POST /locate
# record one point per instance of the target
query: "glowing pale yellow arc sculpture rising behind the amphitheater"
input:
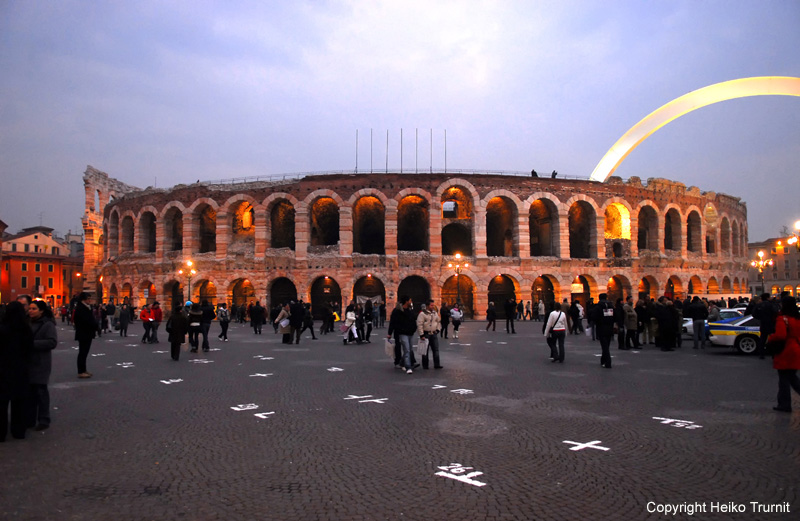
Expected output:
(741, 88)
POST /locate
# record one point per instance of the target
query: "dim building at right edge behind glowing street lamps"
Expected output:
(783, 275)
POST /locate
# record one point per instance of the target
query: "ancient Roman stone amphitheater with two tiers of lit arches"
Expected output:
(338, 236)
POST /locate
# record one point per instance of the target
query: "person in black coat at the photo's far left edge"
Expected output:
(16, 345)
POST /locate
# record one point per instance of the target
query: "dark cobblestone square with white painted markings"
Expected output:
(260, 430)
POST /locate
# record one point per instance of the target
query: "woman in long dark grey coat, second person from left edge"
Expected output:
(45, 339)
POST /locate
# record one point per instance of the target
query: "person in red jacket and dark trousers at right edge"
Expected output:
(787, 362)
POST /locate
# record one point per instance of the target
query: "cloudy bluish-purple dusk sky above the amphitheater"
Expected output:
(171, 92)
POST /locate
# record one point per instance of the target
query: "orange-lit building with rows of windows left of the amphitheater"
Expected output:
(36, 263)
